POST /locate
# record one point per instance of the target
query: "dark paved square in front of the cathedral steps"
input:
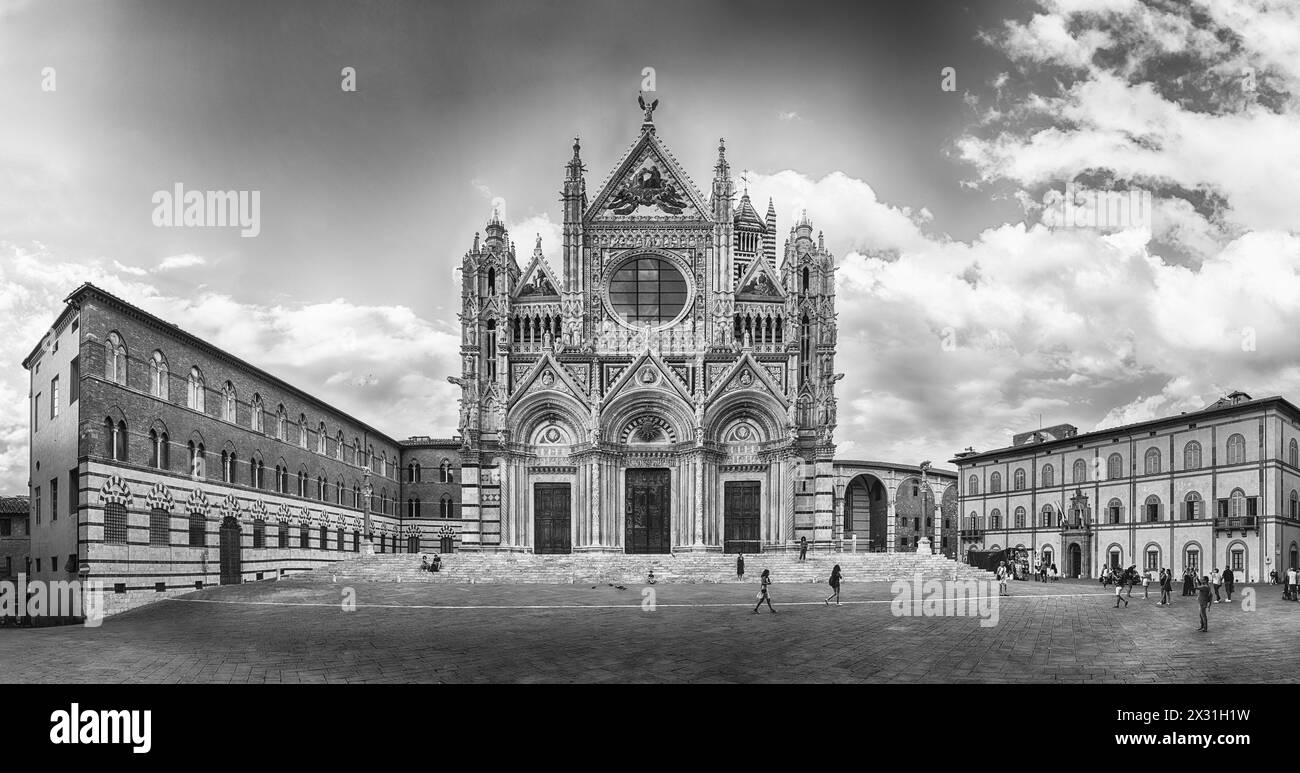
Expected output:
(297, 632)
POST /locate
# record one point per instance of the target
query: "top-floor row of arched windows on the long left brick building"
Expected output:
(116, 363)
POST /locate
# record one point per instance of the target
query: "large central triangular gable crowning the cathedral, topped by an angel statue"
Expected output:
(648, 181)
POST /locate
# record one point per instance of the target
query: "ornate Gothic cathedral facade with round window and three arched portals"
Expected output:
(665, 384)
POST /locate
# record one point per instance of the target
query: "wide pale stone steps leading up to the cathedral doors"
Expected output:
(622, 570)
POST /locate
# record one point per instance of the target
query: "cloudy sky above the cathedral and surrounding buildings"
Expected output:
(965, 315)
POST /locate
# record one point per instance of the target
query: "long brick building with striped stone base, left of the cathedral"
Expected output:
(162, 464)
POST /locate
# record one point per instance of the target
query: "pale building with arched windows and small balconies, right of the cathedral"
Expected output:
(1217, 488)
